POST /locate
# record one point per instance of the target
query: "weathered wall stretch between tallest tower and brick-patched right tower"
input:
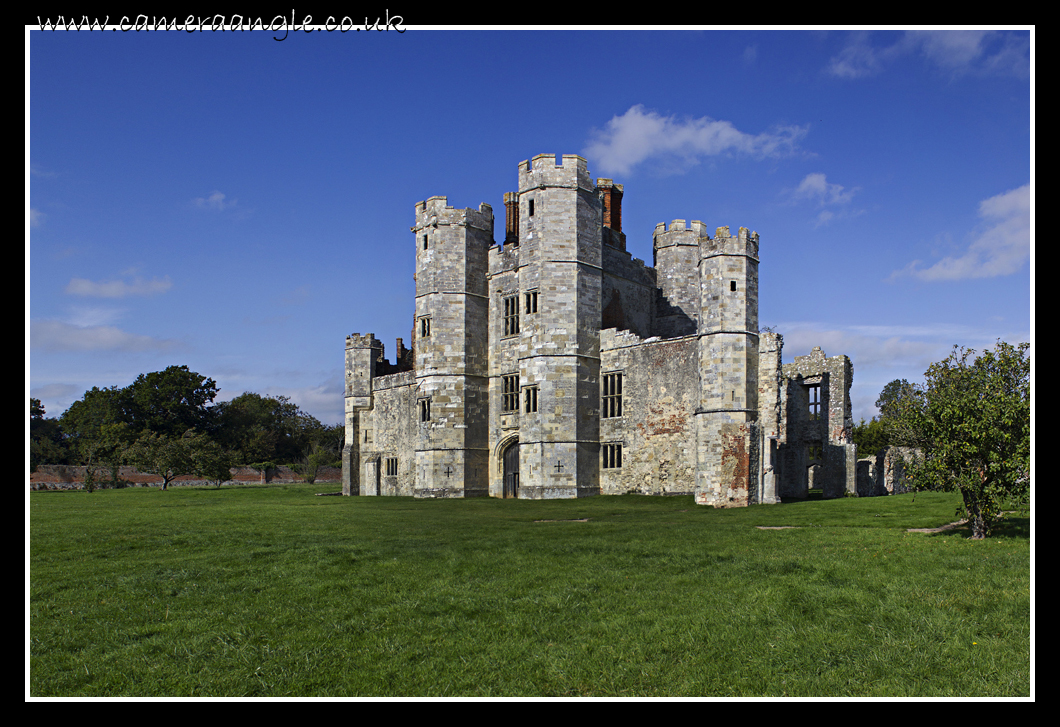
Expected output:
(661, 393)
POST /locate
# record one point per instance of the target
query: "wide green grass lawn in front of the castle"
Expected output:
(272, 592)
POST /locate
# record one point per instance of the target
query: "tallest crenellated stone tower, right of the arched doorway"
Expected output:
(560, 218)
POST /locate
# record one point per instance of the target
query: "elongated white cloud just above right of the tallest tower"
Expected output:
(640, 135)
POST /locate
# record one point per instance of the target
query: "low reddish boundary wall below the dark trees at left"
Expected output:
(67, 477)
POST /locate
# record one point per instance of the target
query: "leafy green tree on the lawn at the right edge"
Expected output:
(971, 421)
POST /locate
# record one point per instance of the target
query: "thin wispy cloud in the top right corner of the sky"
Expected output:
(956, 52)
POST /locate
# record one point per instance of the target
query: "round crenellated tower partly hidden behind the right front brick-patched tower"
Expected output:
(678, 271)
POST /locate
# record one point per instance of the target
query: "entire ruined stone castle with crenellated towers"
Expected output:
(556, 365)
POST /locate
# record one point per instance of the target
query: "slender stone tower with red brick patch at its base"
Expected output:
(729, 438)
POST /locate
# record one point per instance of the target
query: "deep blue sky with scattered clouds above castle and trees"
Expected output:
(239, 205)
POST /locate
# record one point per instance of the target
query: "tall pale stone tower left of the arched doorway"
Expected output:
(451, 349)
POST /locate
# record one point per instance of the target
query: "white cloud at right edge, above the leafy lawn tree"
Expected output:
(1002, 247)
